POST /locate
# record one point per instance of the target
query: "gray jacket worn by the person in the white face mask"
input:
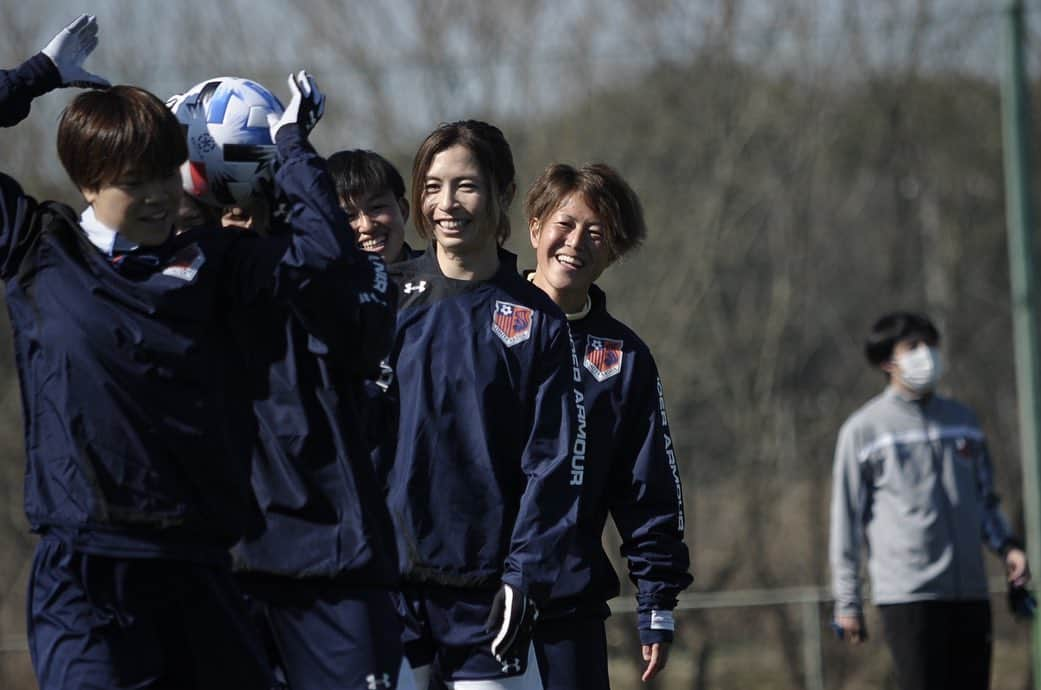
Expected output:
(913, 483)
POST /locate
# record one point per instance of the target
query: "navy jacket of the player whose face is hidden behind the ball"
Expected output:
(324, 510)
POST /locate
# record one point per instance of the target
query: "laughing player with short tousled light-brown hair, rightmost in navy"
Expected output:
(581, 221)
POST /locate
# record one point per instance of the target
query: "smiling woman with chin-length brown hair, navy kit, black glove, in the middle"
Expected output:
(487, 473)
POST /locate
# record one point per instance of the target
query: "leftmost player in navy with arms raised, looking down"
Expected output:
(121, 341)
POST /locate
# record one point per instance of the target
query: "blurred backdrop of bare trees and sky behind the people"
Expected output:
(805, 165)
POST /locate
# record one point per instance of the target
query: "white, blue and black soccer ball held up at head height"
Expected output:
(231, 150)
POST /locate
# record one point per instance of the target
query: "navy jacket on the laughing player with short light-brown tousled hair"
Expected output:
(632, 474)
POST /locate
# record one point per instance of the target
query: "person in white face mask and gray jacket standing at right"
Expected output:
(913, 484)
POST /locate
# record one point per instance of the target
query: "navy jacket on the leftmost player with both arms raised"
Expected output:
(123, 367)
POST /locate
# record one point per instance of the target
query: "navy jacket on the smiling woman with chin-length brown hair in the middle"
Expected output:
(486, 480)
